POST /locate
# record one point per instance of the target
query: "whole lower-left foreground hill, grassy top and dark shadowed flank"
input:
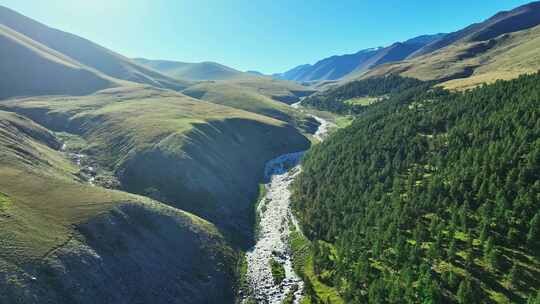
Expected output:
(57, 233)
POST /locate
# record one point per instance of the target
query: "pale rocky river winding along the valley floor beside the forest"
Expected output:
(275, 217)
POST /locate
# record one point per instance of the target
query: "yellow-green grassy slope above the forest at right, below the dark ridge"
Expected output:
(468, 64)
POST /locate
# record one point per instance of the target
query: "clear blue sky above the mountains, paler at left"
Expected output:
(265, 35)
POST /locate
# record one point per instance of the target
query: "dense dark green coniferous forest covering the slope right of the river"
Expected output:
(430, 197)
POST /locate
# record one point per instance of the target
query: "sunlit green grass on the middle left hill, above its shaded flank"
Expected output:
(136, 117)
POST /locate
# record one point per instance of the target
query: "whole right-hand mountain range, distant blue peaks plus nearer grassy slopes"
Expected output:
(480, 50)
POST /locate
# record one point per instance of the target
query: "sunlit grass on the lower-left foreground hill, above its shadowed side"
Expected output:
(41, 202)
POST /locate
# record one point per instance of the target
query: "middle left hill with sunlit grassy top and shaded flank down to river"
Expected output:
(198, 156)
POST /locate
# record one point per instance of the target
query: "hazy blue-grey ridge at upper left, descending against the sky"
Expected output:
(83, 52)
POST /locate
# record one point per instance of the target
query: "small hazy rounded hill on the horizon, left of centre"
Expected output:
(192, 71)
